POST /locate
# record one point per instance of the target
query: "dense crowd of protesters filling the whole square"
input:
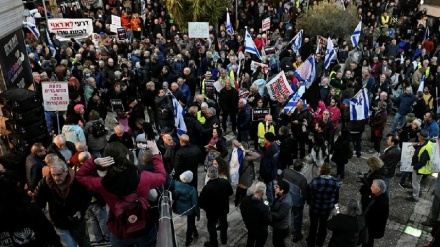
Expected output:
(84, 173)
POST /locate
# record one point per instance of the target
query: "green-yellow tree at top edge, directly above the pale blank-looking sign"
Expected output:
(185, 11)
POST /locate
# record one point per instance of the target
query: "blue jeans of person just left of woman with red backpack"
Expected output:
(97, 218)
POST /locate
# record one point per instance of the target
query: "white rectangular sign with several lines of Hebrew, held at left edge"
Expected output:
(55, 96)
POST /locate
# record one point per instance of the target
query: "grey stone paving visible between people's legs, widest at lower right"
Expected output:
(404, 227)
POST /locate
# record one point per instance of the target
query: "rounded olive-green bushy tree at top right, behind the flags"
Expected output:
(329, 19)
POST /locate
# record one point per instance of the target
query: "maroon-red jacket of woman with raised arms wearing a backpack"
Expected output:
(147, 182)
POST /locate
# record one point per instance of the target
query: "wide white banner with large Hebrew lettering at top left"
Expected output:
(65, 29)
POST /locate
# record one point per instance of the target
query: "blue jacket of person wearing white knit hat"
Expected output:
(185, 197)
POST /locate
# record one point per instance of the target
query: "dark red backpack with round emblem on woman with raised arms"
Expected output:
(130, 217)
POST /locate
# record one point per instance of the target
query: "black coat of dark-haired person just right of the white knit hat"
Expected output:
(214, 198)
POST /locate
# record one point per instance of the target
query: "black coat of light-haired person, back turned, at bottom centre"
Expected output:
(256, 215)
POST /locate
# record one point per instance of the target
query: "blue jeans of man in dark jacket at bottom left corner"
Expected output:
(76, 235)
